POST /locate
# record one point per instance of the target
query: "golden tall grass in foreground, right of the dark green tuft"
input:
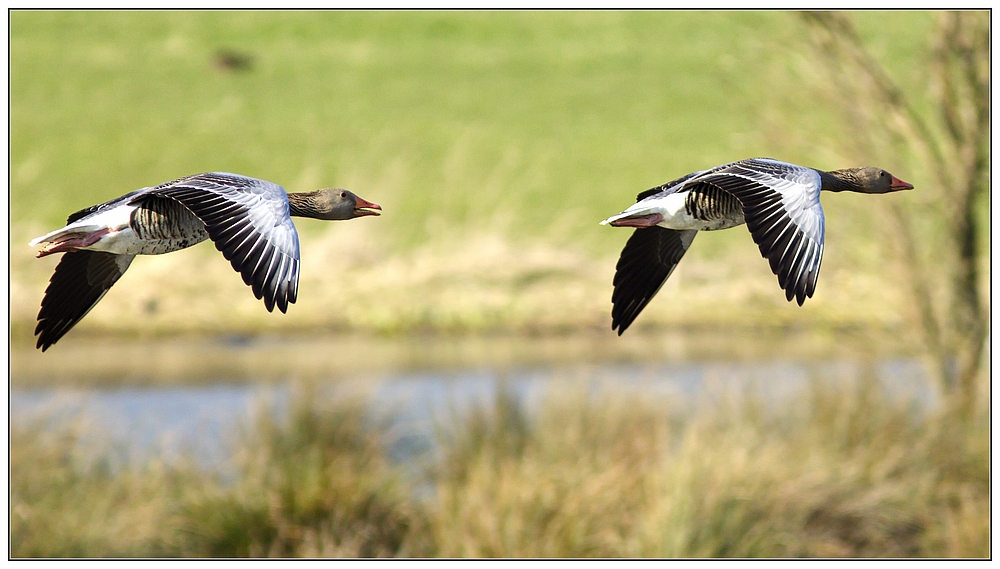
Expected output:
(843, 472)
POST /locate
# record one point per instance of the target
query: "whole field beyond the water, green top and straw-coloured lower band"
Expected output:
(495, 141)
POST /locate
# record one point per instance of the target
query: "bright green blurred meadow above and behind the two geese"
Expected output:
(457, 120)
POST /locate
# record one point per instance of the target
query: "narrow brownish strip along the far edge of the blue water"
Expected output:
(277, 359)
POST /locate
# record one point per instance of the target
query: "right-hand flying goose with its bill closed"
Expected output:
(778, 201)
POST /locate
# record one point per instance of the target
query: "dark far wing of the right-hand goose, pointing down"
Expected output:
(648, 259)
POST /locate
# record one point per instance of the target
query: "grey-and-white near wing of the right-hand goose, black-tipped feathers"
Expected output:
(782, 210)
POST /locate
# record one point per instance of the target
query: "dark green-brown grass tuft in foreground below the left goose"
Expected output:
(314, 483)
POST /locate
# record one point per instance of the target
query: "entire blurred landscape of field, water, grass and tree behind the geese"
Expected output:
(448, 383)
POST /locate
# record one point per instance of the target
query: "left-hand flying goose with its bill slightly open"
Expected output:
(247, 219)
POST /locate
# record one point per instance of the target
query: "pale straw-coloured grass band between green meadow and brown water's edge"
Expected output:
(483, 285)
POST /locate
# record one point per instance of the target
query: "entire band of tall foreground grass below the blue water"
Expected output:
(840, 472)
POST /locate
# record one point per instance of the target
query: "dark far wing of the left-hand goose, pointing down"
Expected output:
(79, 282)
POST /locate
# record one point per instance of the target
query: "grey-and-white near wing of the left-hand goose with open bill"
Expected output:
(248, 220)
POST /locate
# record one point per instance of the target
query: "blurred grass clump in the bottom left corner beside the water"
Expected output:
(71, 497)
